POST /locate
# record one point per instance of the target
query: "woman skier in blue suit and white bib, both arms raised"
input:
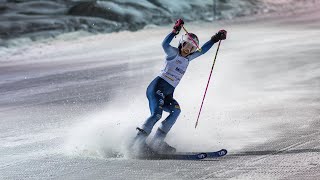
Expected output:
(161, 89)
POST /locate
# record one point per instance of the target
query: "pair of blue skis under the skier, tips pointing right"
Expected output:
(187, 155)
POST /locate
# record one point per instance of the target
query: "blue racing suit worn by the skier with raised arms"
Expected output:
(160, 90)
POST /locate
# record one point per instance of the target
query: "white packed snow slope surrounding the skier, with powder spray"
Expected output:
(69, 105)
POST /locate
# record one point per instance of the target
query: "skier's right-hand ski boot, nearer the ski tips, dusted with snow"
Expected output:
(159, 145)
